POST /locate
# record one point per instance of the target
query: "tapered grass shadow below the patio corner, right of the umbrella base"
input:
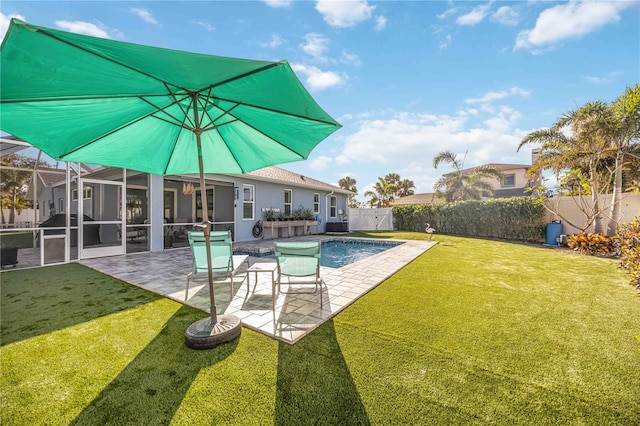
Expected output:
(314, 385)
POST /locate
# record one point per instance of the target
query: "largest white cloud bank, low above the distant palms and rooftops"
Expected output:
(406, 143)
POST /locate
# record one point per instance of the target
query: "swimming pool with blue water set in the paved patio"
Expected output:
(338, 253)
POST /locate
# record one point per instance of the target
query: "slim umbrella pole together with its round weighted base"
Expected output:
(209, 332)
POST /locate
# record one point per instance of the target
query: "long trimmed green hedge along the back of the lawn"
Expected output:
(515, 219)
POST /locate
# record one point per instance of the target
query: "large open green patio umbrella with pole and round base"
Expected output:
(161, 111)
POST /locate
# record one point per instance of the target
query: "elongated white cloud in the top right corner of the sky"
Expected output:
(570, 21)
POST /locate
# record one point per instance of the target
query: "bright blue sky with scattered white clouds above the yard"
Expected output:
(405, 79)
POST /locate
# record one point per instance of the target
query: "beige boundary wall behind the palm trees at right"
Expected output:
(570, 211)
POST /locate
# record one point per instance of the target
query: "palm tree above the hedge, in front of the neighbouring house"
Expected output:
(463, 185)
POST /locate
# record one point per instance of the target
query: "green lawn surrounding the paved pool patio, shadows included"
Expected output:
(471, 332)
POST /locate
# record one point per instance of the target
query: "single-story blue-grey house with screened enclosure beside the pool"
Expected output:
(154, 207)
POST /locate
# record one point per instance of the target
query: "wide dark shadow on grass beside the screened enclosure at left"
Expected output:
(38, 301)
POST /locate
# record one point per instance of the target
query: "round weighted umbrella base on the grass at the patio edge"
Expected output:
(204, 335)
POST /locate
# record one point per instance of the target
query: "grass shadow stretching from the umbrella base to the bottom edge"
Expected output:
(153, 385)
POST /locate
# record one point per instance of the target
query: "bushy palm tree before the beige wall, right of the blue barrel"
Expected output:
(586, 149)
